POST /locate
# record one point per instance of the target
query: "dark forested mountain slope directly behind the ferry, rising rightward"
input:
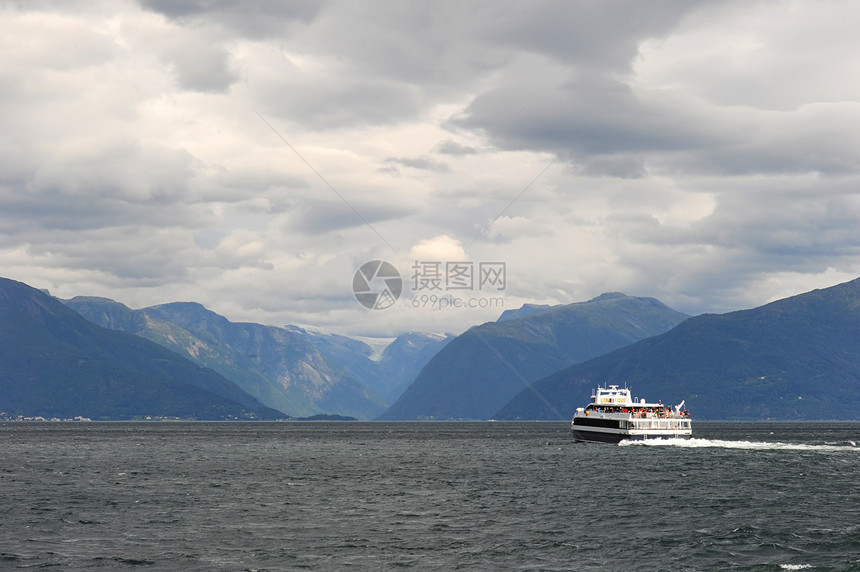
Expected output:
(797, 358)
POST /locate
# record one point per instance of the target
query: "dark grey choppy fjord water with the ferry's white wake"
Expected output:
(283, 496)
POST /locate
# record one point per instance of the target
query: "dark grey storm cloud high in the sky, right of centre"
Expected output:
(589, 114)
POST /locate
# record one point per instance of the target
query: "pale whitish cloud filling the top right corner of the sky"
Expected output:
(766, 57)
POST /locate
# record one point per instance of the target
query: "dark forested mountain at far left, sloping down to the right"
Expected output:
(54, 363)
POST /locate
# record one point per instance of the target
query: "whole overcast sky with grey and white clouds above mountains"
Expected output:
(254, 156)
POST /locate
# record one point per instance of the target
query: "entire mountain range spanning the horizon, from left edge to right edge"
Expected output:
(796, 358)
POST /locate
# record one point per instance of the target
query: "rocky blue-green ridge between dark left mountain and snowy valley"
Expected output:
(280, 367)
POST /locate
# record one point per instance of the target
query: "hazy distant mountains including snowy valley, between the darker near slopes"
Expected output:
(299, 371)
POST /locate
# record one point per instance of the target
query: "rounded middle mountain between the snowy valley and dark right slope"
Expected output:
(482, 369)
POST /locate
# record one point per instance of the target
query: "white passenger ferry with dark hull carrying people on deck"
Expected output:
(613, 416)
